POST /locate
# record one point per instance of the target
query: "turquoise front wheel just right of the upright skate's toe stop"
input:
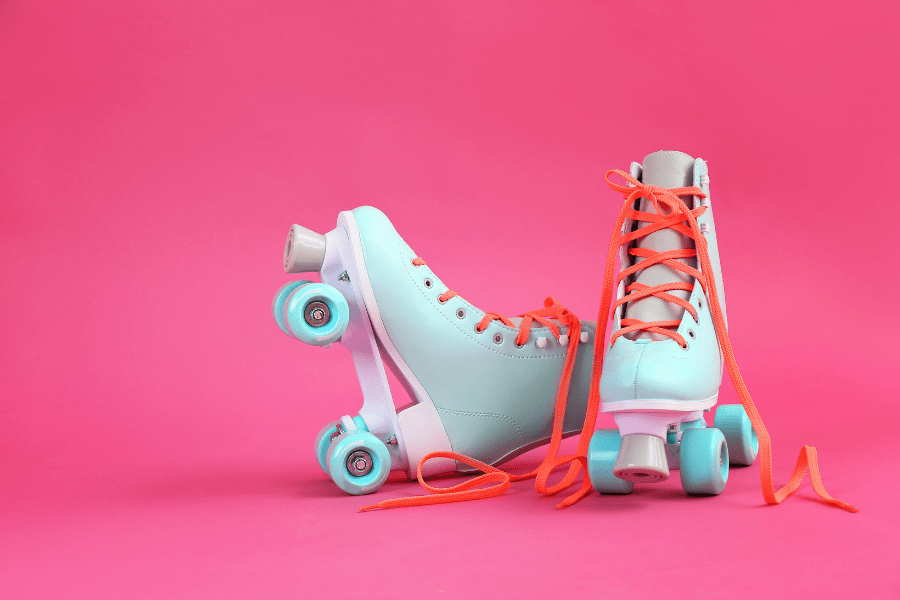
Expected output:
(703, 461)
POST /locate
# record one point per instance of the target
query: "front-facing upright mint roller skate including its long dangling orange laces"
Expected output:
(663, 368)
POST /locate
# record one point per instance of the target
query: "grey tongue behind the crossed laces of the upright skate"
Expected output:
(667, 169)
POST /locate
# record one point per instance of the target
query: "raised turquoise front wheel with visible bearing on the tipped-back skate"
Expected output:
(316, 314)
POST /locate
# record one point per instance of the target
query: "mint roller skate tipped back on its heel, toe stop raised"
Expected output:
(483, 388)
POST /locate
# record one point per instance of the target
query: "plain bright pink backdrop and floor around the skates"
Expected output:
(156, 428)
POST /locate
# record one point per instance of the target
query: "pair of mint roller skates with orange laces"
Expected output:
(485, 388)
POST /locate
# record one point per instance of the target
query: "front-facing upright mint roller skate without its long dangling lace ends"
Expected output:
(664, 367)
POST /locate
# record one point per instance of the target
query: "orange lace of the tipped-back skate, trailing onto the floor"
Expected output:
(497, 480)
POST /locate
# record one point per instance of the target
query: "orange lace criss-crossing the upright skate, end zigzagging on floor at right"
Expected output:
(674, 214)
